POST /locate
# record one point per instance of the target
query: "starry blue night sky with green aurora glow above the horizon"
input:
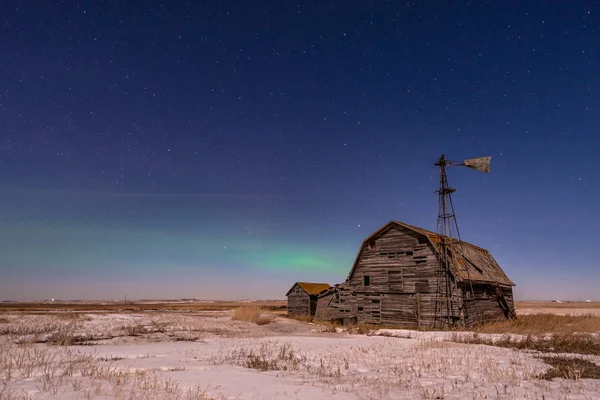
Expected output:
(176, 149)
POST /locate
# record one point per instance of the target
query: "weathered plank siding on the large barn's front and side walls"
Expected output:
(404, 287)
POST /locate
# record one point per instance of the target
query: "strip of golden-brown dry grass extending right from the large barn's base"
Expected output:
(543, 323)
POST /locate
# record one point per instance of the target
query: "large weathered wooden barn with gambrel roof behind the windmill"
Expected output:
(397, 279)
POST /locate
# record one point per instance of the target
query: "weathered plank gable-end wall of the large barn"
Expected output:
(402, 269)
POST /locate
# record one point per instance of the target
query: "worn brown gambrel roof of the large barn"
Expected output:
(475, 264)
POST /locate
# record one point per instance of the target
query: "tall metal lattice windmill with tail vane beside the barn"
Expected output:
(450, 244)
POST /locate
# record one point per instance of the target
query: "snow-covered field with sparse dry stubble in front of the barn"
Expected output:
(208, 355)
